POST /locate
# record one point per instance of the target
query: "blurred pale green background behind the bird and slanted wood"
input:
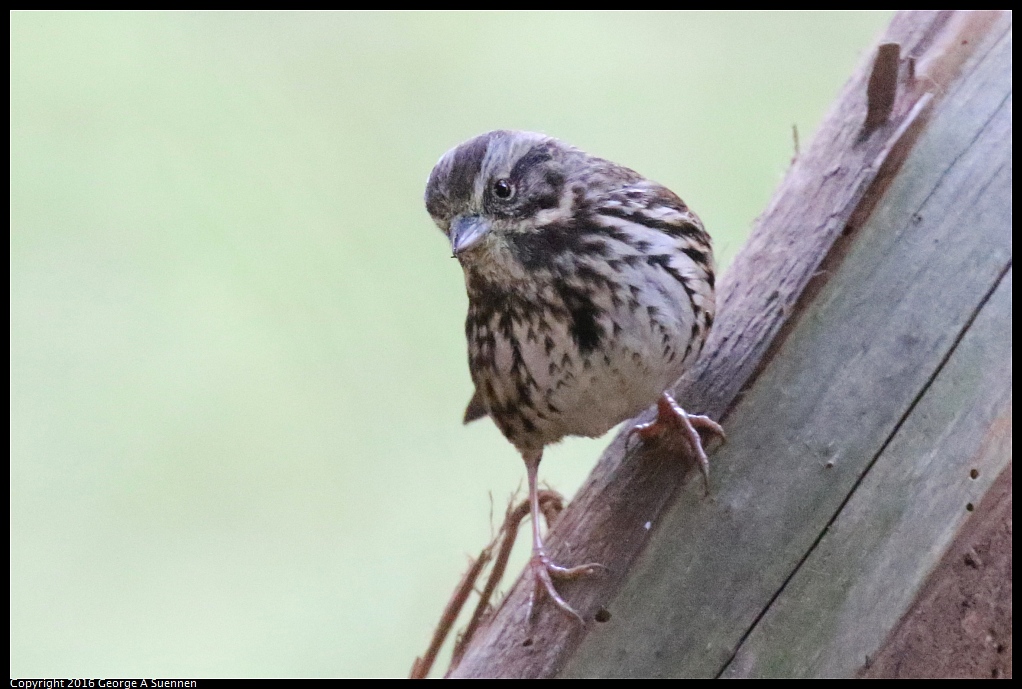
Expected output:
(238, 365)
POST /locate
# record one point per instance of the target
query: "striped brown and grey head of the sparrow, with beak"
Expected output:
(494, 192)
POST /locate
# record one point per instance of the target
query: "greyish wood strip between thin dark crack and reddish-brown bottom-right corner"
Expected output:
(860, 580)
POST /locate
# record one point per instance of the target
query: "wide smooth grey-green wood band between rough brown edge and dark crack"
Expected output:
(851, 370)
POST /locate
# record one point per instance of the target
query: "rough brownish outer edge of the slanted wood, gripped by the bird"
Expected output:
(826, 196)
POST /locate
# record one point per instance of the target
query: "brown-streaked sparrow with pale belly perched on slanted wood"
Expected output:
(590, 291)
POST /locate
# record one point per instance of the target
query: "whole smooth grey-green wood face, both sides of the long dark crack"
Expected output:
(869, 370)
